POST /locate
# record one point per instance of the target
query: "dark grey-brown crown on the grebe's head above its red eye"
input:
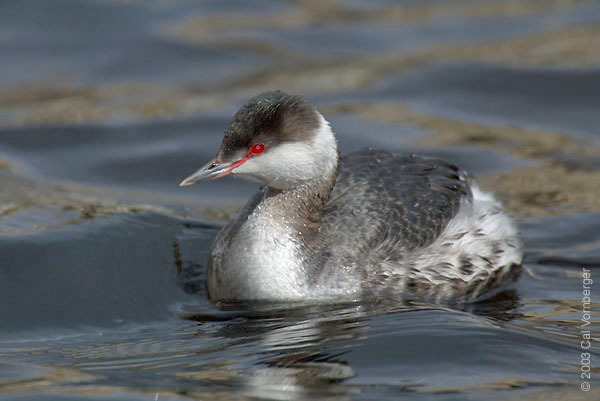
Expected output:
(270, 118)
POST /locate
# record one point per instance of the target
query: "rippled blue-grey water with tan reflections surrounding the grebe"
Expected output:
(106, 105)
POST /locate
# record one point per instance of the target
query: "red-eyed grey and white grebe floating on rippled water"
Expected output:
(369, 223)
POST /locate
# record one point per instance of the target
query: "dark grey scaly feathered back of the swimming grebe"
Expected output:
(380, 195)
